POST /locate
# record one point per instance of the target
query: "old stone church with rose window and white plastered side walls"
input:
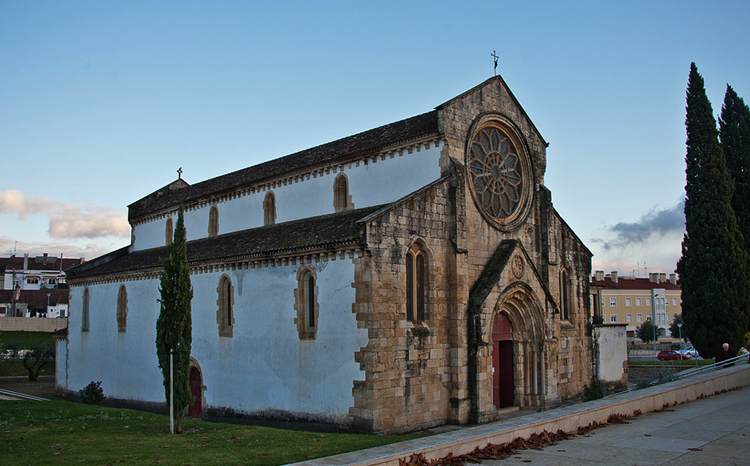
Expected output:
(413, 275)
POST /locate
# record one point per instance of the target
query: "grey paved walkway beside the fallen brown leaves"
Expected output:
(711, 431)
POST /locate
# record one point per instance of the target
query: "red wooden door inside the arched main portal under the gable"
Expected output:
(502, 362)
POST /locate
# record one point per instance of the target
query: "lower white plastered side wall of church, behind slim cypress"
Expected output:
(263, 366)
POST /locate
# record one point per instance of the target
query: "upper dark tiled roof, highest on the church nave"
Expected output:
(348, 148)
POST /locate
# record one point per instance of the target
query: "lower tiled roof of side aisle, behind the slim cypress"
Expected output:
(317, 232)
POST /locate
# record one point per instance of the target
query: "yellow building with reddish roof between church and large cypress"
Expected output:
(632, 301)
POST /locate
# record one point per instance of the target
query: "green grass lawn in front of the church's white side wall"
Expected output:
(65, 433)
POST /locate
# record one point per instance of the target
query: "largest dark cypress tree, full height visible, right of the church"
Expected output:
(713, 266)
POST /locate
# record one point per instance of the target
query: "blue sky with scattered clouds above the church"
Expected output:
(101, 102)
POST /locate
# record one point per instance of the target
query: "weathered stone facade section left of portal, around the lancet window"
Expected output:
(407, 364)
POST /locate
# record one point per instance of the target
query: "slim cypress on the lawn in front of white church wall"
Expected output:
(174, 325)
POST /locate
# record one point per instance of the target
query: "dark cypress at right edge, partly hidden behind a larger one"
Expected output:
(734, 134)
